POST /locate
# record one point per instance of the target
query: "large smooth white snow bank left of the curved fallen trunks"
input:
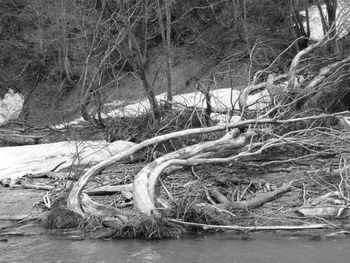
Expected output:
(32, 159)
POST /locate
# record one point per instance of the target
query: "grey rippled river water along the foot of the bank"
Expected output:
(204, 249)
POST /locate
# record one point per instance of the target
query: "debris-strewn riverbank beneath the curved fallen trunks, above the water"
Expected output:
(312, 201)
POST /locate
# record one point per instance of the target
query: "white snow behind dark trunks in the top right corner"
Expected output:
(342, 20)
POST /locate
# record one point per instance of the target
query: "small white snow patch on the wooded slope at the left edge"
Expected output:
(11, 106)
